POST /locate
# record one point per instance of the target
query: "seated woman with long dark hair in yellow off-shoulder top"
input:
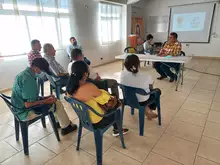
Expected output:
(79, 88)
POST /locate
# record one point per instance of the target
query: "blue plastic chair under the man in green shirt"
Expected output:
(24, 124)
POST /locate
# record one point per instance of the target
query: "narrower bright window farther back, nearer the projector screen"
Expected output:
(110, 23)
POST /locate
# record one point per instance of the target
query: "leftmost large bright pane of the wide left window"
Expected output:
(14, 38)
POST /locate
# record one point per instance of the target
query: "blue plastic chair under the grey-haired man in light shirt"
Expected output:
(57, 83)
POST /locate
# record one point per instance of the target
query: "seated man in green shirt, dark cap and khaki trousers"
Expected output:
(25, 96)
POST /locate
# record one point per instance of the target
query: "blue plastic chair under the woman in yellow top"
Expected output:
(81, 110)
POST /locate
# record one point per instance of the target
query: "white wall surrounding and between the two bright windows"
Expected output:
(84, 26)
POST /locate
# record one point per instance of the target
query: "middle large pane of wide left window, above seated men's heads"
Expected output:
(44, 29)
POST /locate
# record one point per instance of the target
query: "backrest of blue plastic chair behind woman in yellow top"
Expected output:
(81, 110)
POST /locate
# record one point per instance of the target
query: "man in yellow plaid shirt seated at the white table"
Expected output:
(173, 48)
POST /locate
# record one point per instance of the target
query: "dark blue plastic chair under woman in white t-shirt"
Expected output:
(130, 99)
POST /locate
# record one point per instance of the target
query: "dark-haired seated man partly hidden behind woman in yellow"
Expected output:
(76, 55)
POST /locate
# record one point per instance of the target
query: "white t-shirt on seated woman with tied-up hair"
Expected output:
(138, 81)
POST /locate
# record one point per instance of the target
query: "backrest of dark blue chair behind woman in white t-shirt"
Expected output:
(129, 94)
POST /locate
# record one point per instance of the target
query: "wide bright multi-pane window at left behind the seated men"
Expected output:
(24, 20)
